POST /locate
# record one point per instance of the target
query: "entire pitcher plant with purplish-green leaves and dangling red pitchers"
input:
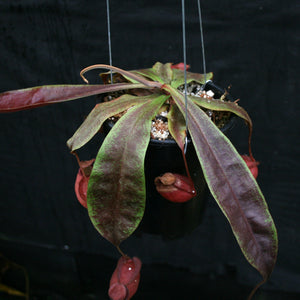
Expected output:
(115, 180)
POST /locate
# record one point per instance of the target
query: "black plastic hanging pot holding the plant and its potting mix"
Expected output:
(163, 217)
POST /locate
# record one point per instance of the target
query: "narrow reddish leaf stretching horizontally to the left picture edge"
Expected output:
(49, 94)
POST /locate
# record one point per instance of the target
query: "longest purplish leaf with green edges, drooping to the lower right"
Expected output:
(234, 188)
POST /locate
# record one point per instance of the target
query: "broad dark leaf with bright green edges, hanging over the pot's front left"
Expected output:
(116, 191)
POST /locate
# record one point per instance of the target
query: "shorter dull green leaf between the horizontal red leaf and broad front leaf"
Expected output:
(99, 114)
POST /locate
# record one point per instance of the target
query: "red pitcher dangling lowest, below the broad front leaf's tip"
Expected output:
(125, 279)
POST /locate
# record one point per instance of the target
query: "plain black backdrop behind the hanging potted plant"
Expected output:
(251, 45)
